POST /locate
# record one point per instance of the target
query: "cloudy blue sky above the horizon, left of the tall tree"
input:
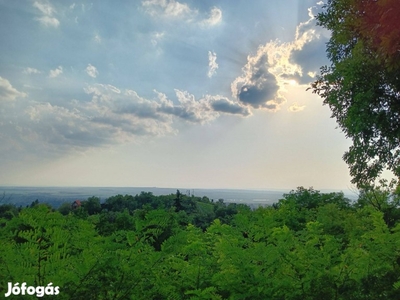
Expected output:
(165, 93)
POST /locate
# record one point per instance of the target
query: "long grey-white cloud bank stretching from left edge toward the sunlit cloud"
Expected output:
(110, 117)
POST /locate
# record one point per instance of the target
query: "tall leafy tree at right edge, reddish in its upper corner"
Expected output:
(362, 84)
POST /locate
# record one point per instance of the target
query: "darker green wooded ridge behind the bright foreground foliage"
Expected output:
(199, 211)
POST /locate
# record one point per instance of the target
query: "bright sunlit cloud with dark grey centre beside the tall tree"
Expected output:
(275, 64)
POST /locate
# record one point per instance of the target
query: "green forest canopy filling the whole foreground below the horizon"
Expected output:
(309, 245)
